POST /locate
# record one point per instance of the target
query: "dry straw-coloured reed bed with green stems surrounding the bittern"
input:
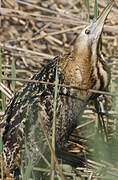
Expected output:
(32, 33)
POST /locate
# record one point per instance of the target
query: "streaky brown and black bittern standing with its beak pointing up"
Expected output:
(84, 67)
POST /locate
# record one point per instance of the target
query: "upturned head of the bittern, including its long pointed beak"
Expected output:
(90, 35)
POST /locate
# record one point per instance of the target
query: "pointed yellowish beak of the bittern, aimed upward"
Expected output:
(97, 26)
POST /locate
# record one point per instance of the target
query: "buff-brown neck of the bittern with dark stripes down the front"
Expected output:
(86, 69)
